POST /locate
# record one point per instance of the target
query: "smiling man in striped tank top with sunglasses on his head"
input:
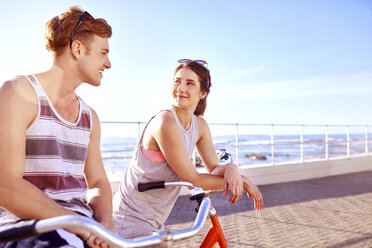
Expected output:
(50, 138)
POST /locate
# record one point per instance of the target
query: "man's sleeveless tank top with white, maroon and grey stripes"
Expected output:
(56, 152)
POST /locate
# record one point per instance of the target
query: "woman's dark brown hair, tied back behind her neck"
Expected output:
(204, 79)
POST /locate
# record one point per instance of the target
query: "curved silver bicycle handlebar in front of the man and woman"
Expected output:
(36, 227)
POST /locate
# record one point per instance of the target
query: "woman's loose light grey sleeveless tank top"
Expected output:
(141, 213)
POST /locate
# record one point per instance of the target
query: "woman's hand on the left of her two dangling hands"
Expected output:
(233, 182)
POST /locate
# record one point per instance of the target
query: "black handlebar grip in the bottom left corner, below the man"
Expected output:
(22, 230)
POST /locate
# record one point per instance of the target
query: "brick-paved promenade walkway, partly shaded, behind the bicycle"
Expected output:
(333, 212)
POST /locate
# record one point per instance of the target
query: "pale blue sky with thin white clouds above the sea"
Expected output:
(282, 62)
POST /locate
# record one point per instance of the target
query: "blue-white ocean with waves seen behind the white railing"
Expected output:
(254, 150)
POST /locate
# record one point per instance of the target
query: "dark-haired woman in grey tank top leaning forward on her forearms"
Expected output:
(164, 154)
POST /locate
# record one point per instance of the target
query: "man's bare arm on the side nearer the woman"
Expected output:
(99, 193)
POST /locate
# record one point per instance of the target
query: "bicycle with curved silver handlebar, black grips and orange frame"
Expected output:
(162, 238)
